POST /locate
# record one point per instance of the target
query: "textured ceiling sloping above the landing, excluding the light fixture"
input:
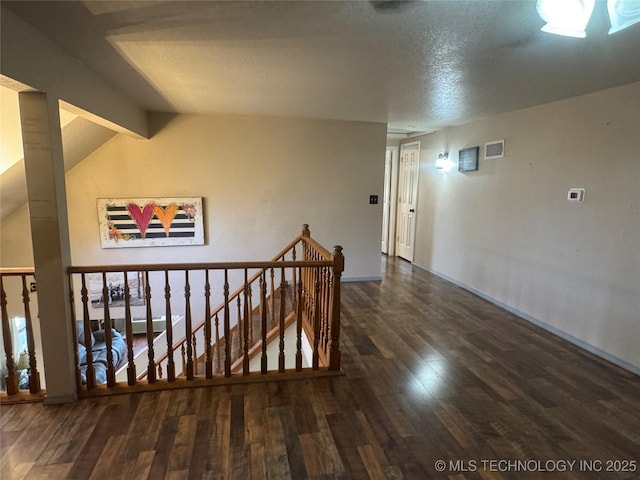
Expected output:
(417, 66)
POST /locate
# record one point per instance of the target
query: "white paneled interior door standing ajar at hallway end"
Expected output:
(407, 199)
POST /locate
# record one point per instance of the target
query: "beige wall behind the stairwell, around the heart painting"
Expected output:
(261, 178)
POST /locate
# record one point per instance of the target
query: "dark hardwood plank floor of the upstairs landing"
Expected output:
(432, 373)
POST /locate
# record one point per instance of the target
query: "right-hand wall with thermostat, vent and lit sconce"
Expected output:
(508, 231)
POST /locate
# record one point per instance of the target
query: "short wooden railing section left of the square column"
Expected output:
(19, 375)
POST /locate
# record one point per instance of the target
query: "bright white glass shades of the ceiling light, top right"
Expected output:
(570, 17)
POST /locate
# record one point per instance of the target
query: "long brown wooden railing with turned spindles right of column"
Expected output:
(300, 285)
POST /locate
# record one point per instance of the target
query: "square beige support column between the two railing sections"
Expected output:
(44, 171)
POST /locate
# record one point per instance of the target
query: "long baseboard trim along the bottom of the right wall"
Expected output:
(545, 326)
